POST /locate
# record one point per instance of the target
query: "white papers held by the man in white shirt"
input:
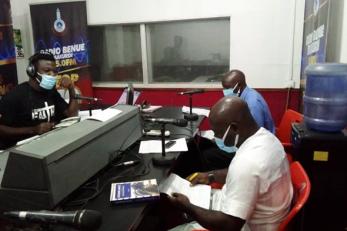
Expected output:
(198, 195)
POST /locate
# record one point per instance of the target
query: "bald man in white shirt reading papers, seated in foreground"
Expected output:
(257, 189)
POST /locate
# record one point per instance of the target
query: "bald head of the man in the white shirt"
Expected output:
(234, 112)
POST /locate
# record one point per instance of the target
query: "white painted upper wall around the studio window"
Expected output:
(265, 36)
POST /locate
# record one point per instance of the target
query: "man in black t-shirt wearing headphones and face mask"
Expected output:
(33, 107)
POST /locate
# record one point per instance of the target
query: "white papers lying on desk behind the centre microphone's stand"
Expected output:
(154, 146)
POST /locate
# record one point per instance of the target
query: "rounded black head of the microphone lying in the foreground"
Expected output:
(90, 220)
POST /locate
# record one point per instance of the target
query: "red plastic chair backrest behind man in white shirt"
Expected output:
(302, 188)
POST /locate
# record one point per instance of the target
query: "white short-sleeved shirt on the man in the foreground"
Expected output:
(258, 186)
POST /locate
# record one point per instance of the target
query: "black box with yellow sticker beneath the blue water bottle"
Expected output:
(324, 157)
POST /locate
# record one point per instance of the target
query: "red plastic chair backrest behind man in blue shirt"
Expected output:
(283, 131)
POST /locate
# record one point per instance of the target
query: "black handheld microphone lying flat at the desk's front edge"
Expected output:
(80, 219)
